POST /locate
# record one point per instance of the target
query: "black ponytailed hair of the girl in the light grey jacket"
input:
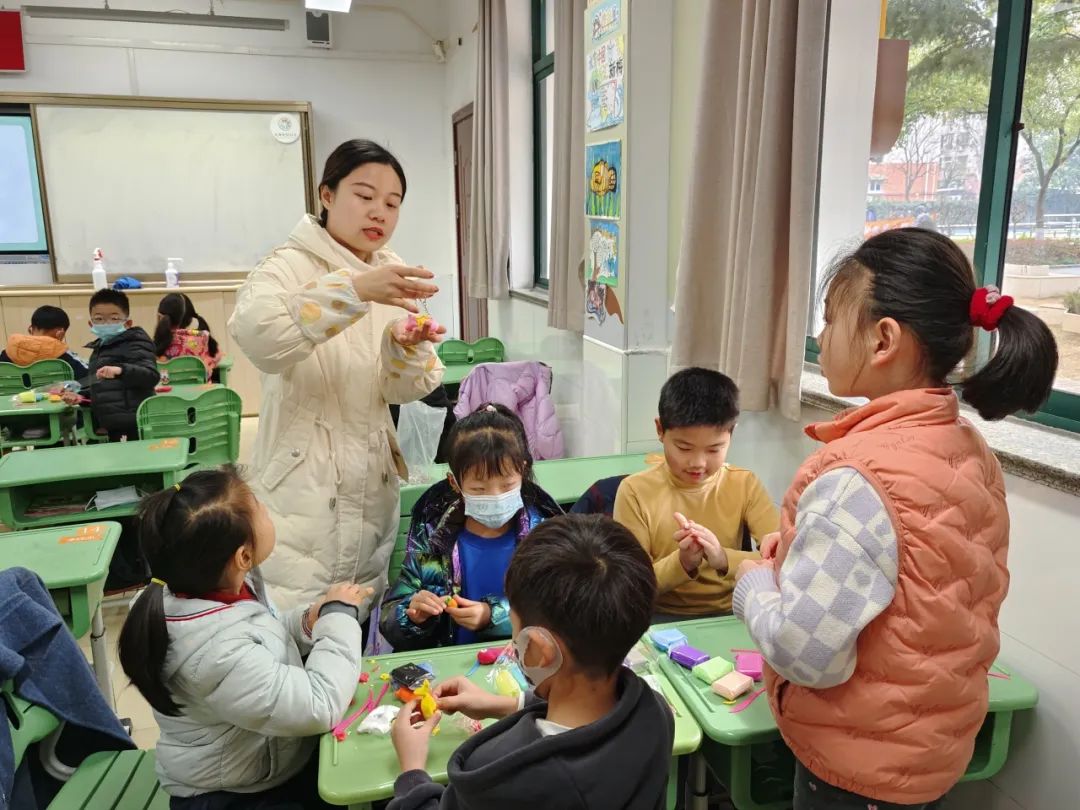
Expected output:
(188, 535)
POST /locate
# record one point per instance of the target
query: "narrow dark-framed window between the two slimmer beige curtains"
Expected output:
(544, 127)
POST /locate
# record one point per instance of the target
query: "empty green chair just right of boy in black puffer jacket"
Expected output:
(211, 424)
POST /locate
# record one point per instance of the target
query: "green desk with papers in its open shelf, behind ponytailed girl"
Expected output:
(74, 475)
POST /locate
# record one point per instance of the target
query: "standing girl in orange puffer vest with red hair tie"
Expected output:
(877, 605)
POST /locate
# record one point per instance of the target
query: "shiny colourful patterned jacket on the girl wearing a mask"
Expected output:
(438, 519)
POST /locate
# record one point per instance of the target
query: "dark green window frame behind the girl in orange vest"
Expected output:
(1004, 123)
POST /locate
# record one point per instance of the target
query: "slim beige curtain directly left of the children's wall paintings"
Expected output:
(566, 308)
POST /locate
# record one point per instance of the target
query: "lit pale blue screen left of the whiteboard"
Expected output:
(22, 223)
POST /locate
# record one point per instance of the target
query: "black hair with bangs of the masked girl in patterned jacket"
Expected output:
(491, 441)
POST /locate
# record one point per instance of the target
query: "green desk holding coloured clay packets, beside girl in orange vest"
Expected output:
(745, 750)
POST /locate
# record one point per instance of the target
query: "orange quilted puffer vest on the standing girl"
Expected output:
(902, 730)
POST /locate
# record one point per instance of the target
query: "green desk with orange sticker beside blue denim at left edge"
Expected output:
(74, 563)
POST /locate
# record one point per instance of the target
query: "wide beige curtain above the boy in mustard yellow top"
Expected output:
(747, 258)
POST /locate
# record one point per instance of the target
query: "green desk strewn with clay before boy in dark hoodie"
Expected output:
(363, 768)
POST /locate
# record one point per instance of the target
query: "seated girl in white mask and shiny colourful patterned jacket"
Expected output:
(464, 533)
